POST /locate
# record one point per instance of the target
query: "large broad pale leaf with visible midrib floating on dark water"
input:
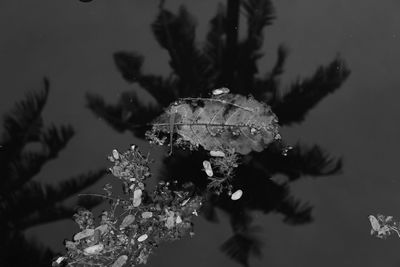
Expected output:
(218, 123)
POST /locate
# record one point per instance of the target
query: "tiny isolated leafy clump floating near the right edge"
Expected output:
(383, 226)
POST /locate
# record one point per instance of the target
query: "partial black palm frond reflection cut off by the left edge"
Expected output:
(26, 145)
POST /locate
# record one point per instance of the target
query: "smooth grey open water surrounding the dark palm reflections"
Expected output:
(72, 44)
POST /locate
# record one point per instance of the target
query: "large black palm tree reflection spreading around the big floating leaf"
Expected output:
(227, 61)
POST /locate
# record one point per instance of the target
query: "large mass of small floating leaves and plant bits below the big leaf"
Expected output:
(135, 224)
